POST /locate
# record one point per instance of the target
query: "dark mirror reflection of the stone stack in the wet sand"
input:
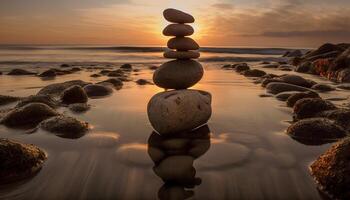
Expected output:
(173, 158)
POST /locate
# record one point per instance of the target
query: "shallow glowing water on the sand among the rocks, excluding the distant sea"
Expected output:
(250, 156)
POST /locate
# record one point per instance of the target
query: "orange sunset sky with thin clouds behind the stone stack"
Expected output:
(268, 23)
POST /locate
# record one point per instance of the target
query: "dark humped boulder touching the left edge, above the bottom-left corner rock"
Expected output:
(29, 115)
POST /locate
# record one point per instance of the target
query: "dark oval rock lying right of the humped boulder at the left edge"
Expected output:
(66, 127)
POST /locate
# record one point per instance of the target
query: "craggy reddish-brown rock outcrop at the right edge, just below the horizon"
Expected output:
(329, 60)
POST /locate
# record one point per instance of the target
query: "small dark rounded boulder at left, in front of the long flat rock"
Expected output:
(74, 94)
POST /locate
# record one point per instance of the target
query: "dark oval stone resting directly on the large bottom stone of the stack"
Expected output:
(178, 74)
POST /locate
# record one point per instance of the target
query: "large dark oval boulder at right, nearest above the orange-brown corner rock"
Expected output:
(315, 131)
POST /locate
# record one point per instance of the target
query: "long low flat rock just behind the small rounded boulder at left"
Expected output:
(58, 88)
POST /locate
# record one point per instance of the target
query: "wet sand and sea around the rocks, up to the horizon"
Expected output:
(250, 155)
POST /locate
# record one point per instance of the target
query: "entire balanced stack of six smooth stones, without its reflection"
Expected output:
(179, 109)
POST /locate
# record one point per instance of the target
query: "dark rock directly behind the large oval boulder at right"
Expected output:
(310, 107)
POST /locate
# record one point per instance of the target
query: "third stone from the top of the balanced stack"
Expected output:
(182, 44)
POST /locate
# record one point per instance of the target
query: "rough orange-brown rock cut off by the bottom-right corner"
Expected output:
(332, 170)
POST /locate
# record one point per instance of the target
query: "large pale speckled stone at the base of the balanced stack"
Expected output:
(179, 110)
